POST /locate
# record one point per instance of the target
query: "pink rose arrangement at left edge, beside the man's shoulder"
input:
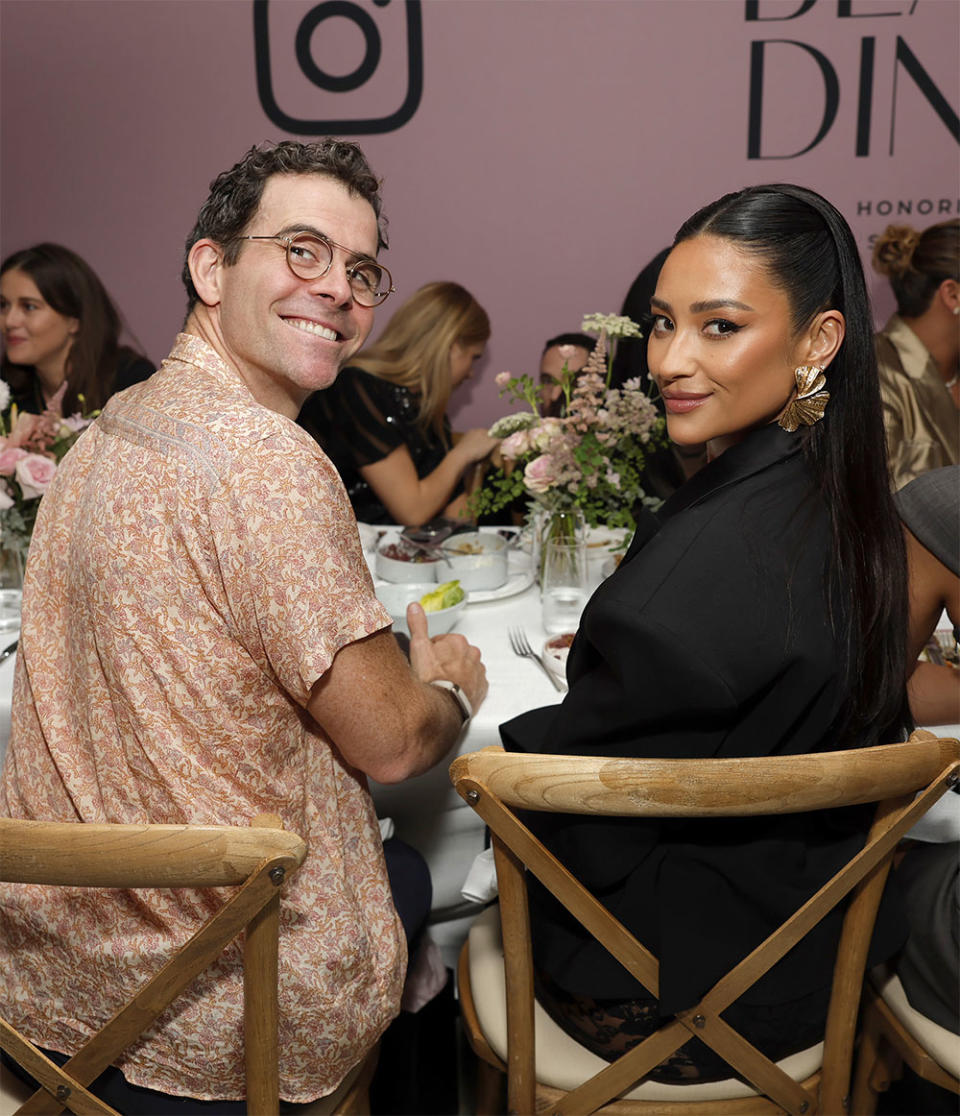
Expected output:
(32, 446)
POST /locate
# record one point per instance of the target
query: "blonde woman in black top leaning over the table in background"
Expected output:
(385, 425)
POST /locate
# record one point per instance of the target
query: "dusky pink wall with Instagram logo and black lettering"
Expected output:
(558, 146)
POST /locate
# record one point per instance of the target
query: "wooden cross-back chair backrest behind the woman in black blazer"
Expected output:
(905, 780)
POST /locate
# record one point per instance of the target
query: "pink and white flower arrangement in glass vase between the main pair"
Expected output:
(591, 459)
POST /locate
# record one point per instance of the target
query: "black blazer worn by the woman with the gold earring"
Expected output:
(713, 639)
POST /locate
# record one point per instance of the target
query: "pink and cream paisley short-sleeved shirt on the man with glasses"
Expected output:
(194, 573)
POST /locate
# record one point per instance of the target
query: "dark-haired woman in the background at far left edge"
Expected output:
(62, 334)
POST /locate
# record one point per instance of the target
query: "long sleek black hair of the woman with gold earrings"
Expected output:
(810, 254)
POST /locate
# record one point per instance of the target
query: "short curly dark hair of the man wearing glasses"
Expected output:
(236, 195)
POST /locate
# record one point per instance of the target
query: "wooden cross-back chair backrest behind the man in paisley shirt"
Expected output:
(256, 861)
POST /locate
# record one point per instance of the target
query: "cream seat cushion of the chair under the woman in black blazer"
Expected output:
(562, 1062)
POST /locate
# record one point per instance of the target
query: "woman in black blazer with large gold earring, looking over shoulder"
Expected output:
(738, 624)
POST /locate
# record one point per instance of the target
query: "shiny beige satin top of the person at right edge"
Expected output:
(921, 420)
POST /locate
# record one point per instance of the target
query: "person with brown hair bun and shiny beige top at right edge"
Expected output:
(919, 349)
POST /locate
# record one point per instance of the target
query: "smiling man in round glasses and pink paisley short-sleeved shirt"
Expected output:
(201, 643)
